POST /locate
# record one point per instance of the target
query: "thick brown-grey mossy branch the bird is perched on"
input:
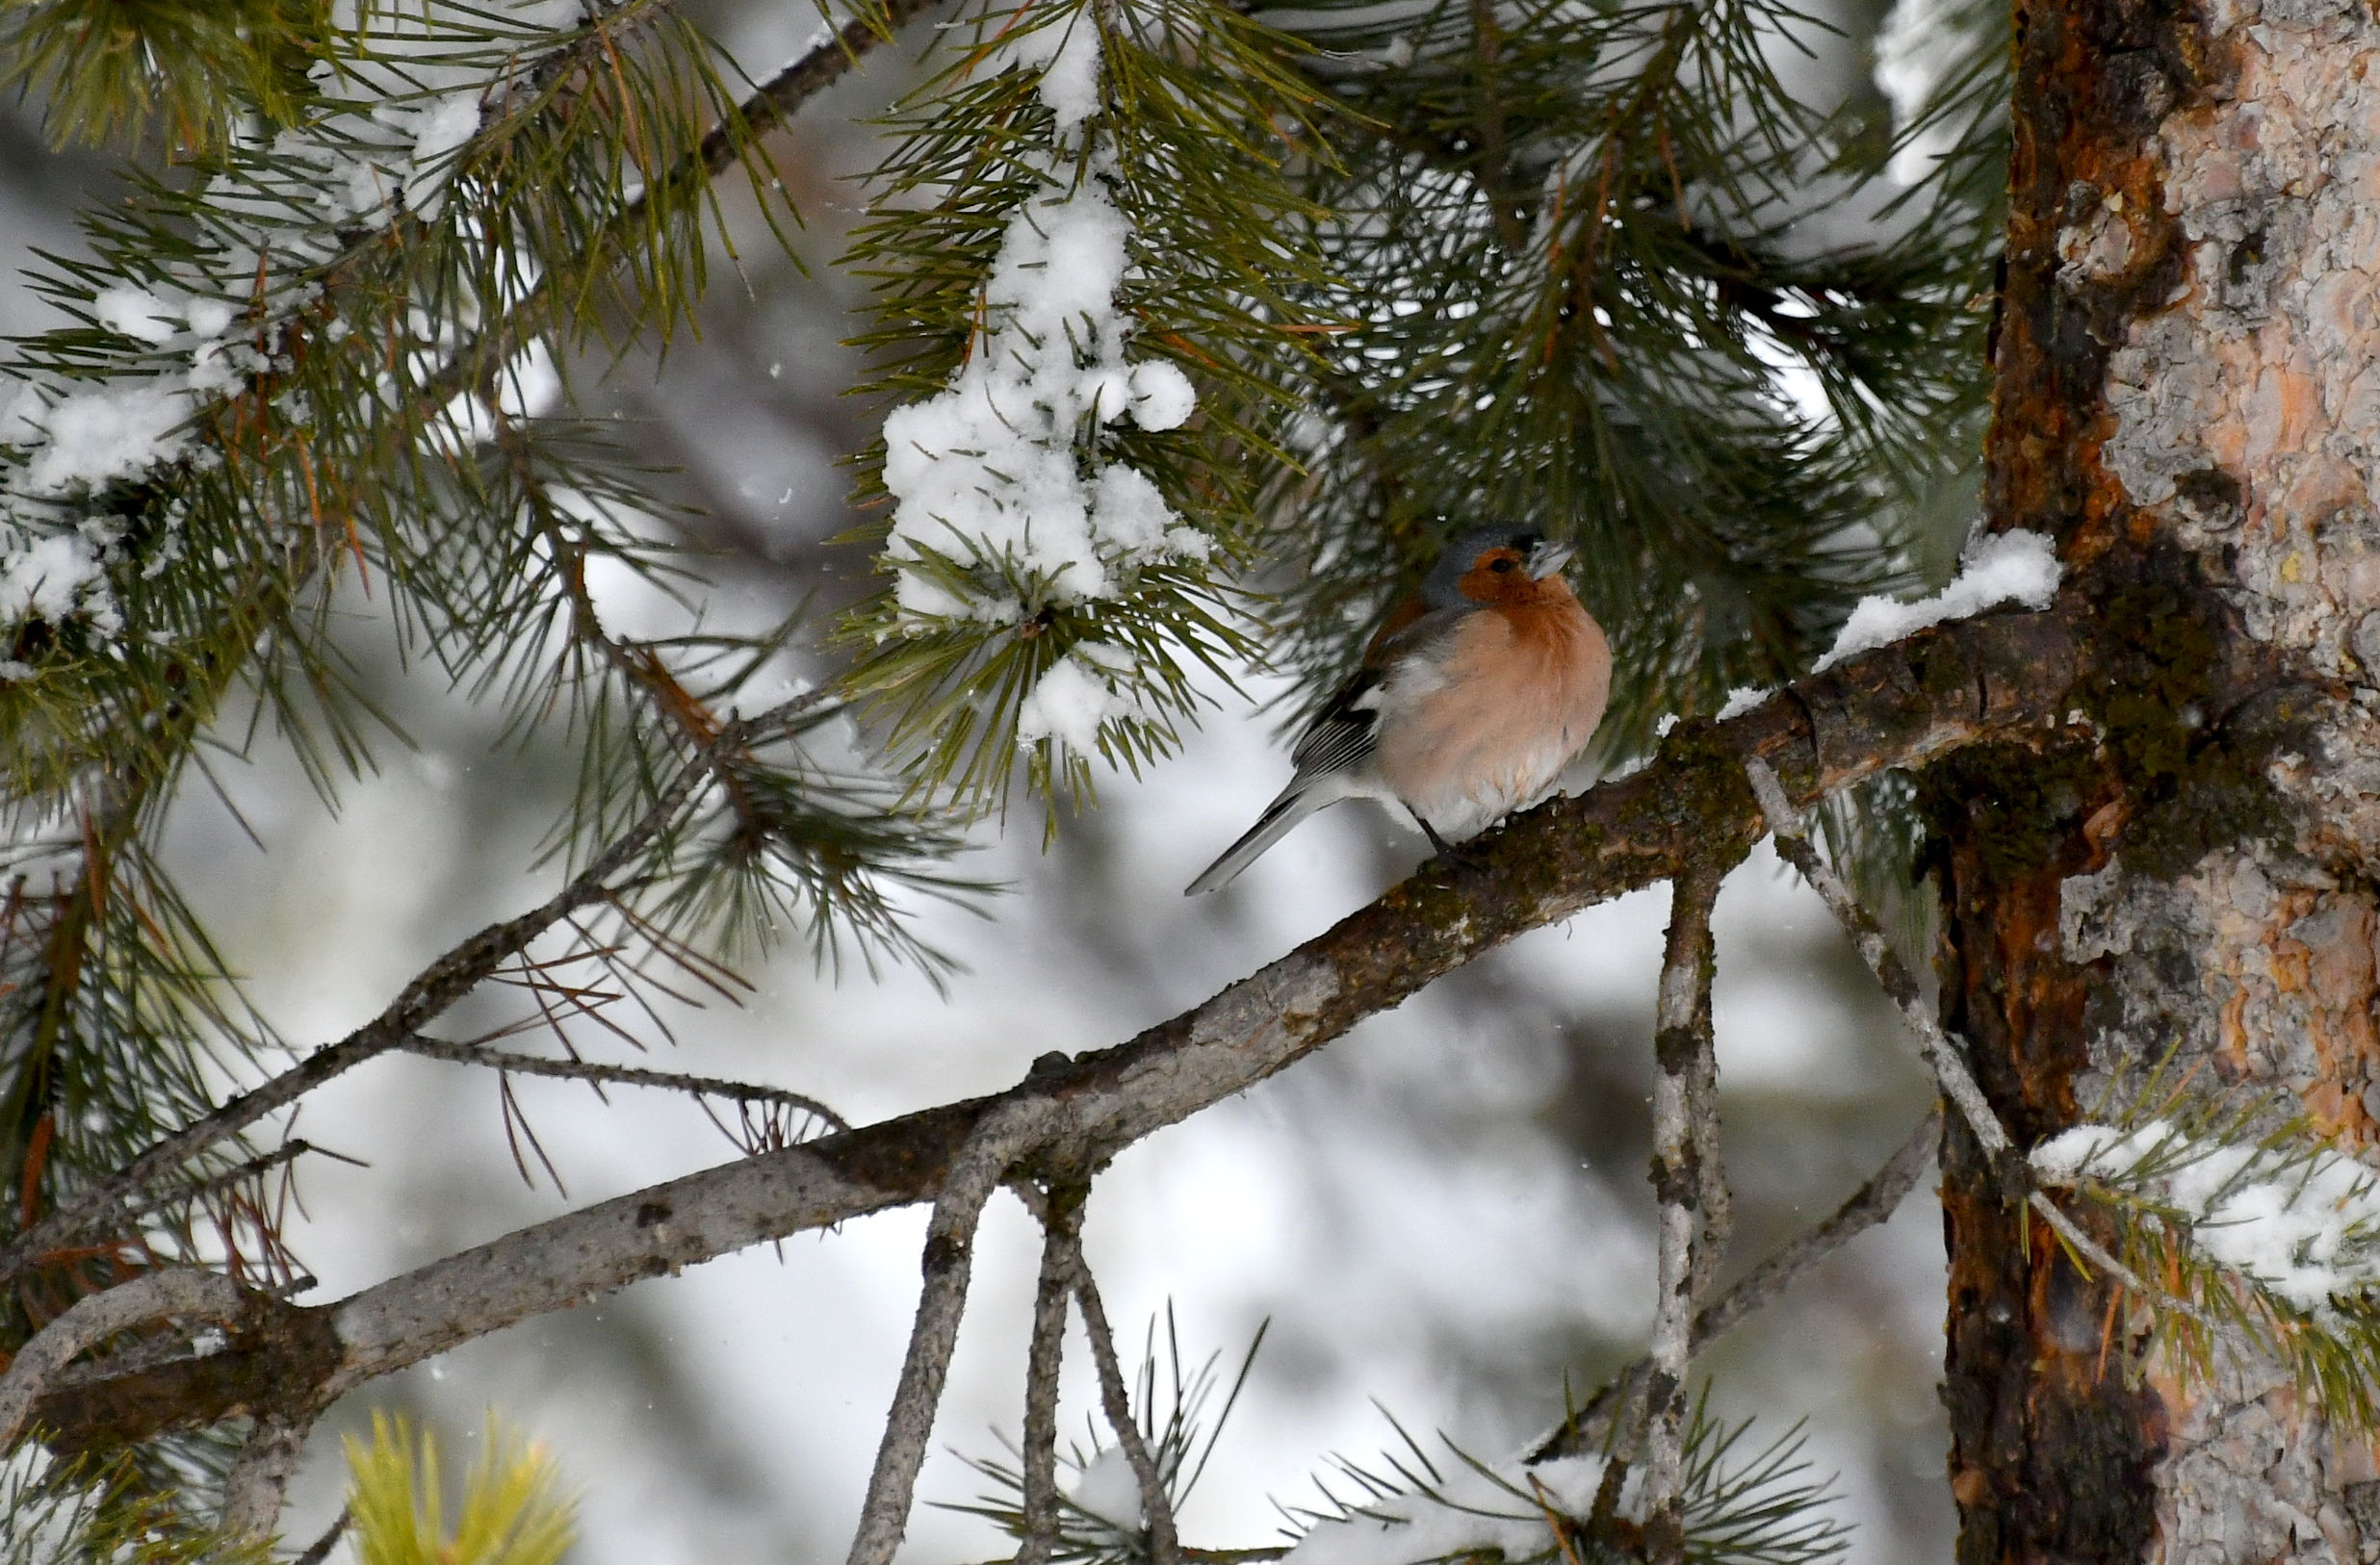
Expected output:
(1893, 708)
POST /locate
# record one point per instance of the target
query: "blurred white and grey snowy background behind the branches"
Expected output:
(1441, 1217)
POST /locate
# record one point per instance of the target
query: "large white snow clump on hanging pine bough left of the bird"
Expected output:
(1006, 498)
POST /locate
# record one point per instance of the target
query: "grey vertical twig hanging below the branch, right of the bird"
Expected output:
(1684, 1176)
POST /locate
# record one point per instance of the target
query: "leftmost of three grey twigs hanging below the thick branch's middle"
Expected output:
(951, 1240)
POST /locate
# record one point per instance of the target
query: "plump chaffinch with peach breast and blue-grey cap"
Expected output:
(1472, 700)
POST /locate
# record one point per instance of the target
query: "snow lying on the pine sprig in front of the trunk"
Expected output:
(2305, 1231)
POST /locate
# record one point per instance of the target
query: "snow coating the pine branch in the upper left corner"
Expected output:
(175, 329)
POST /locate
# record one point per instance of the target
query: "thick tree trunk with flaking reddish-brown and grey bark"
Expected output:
(2188, 398)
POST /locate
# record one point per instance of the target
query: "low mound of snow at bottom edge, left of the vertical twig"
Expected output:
(1470, 1511)
